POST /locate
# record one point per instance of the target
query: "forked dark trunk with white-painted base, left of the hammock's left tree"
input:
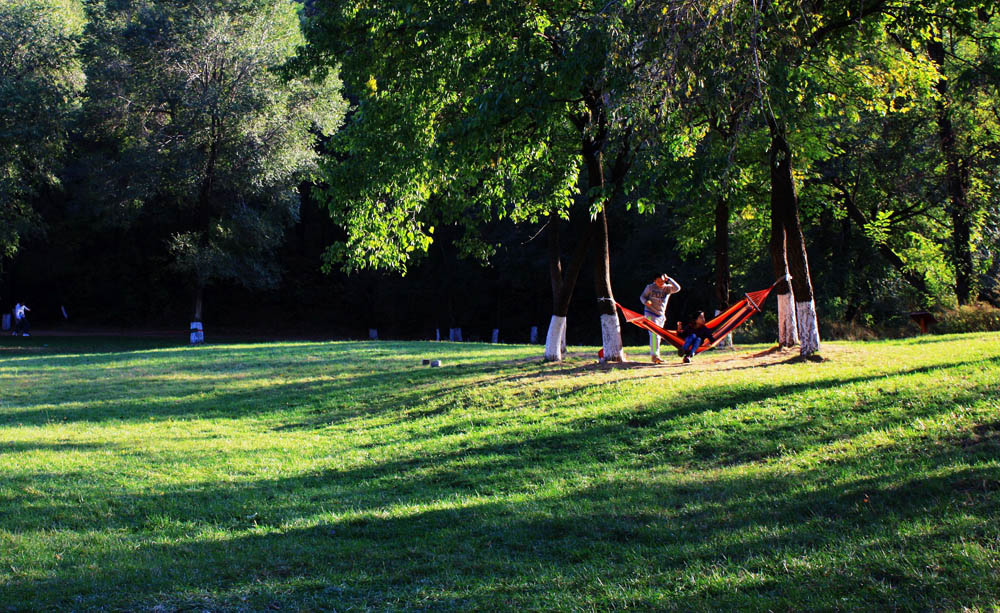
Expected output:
(563, 283)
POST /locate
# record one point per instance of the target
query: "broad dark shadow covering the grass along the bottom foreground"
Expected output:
(731, 542)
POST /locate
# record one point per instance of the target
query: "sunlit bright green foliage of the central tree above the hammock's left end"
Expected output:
(479, 111)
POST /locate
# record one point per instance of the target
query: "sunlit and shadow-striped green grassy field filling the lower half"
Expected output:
(347, 476)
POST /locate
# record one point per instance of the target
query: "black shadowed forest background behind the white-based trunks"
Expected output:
(120, 278)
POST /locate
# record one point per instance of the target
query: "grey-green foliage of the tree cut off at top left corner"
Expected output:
(40, 82)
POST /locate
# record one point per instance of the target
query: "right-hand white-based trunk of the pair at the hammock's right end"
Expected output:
(784, 205)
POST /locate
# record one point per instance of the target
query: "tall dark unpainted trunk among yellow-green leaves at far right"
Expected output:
(957, 183)
